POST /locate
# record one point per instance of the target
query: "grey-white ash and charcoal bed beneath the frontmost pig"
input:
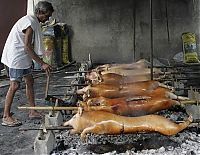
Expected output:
(186, 142)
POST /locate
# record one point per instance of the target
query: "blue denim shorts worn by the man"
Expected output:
(18, 74)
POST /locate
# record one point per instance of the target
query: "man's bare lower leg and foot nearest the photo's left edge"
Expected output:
(14, 86)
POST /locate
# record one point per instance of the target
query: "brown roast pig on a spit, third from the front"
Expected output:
(116, 91)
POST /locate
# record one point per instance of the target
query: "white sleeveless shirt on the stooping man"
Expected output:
(14, 53)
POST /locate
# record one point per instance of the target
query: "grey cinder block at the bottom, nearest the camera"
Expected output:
(44, 143)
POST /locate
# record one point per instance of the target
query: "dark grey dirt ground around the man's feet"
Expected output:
(13, 141)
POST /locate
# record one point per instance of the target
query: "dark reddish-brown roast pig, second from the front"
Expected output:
(122, 106)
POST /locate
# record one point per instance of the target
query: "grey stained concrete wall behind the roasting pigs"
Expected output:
(119, 31)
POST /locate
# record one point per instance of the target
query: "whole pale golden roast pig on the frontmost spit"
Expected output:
(101, 122)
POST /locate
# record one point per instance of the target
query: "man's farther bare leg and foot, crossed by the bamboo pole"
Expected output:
(31, 95)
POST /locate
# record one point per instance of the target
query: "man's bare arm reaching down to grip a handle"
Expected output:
(28, 46)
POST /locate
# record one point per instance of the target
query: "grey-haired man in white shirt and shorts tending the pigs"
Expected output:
(18, 54)
